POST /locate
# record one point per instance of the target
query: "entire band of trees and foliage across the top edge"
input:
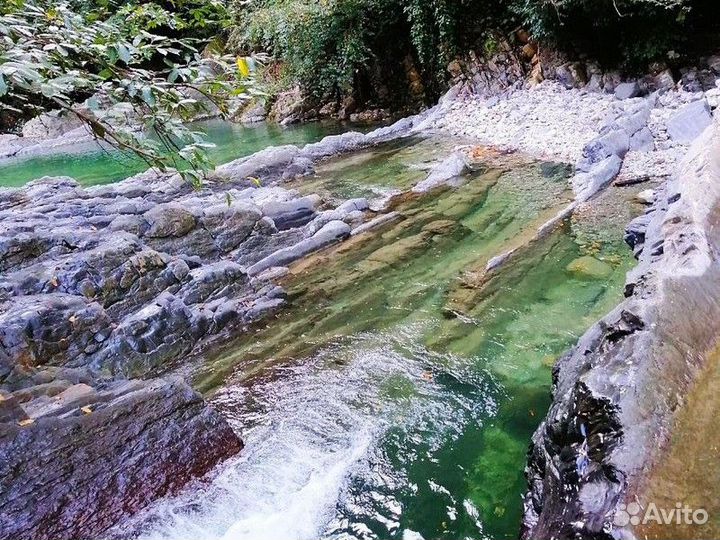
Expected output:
(159, 63)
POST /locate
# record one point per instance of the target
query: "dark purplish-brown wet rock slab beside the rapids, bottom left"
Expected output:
(91, 456)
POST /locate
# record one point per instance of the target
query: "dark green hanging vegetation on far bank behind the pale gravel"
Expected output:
(333, 46)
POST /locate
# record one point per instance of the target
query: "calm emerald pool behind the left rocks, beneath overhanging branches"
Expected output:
(232, 141)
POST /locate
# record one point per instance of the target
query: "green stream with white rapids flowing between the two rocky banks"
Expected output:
(395, 398)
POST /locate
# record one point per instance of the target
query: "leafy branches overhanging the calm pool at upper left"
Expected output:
(145, 86)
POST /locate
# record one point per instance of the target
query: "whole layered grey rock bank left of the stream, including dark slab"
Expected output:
(104, 287)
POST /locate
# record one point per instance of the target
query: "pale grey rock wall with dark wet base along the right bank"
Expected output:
(618, 392)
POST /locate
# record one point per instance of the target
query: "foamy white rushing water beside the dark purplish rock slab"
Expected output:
(311, 430)
